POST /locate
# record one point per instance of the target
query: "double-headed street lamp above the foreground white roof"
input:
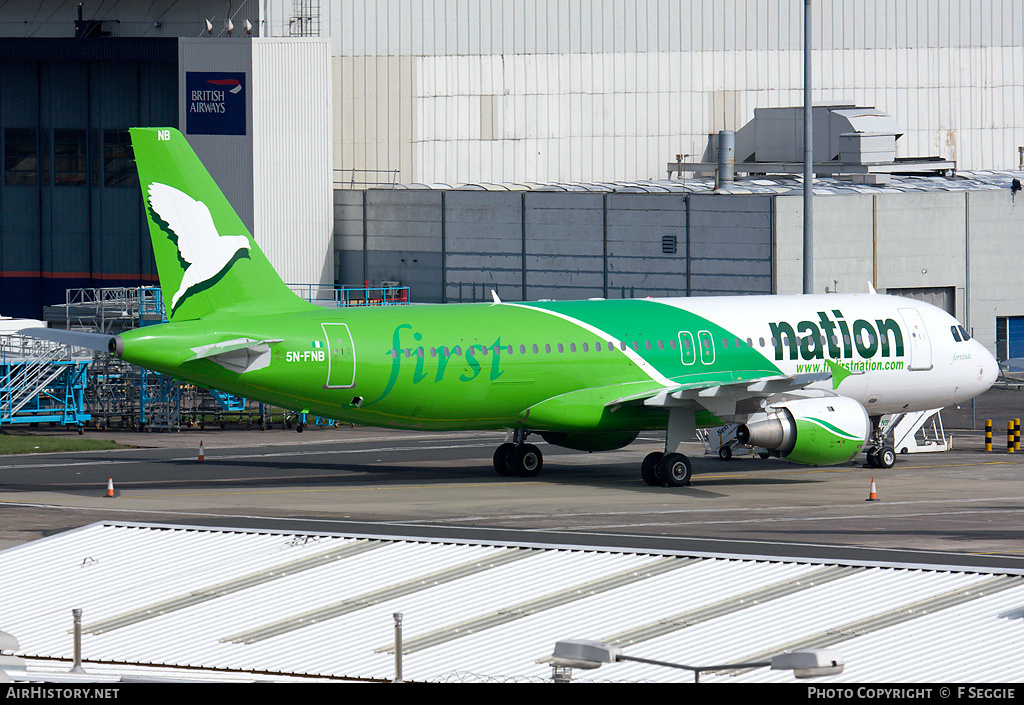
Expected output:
(804, 665)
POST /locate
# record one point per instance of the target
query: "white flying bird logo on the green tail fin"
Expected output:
(207, 253)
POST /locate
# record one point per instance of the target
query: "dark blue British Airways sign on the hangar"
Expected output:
(216, 103)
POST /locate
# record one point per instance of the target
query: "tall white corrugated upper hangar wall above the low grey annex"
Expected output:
(457, 93)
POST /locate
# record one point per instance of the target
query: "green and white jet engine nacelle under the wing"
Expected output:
(817, 431)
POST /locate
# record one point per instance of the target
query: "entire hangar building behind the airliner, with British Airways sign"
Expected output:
(348, 103)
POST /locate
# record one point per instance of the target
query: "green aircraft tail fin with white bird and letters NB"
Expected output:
(207, 260)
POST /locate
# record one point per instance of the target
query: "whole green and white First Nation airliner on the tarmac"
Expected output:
(807, 378)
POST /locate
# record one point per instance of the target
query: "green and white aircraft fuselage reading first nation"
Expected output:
(484, 365)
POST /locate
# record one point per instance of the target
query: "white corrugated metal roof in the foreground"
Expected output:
(251, 602)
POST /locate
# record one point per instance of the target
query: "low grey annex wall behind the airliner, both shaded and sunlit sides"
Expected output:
(457, 245)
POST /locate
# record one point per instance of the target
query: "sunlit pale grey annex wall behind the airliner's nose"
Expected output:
(965, 242)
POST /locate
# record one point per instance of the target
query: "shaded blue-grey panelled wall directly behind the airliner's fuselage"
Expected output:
(458, 245)
